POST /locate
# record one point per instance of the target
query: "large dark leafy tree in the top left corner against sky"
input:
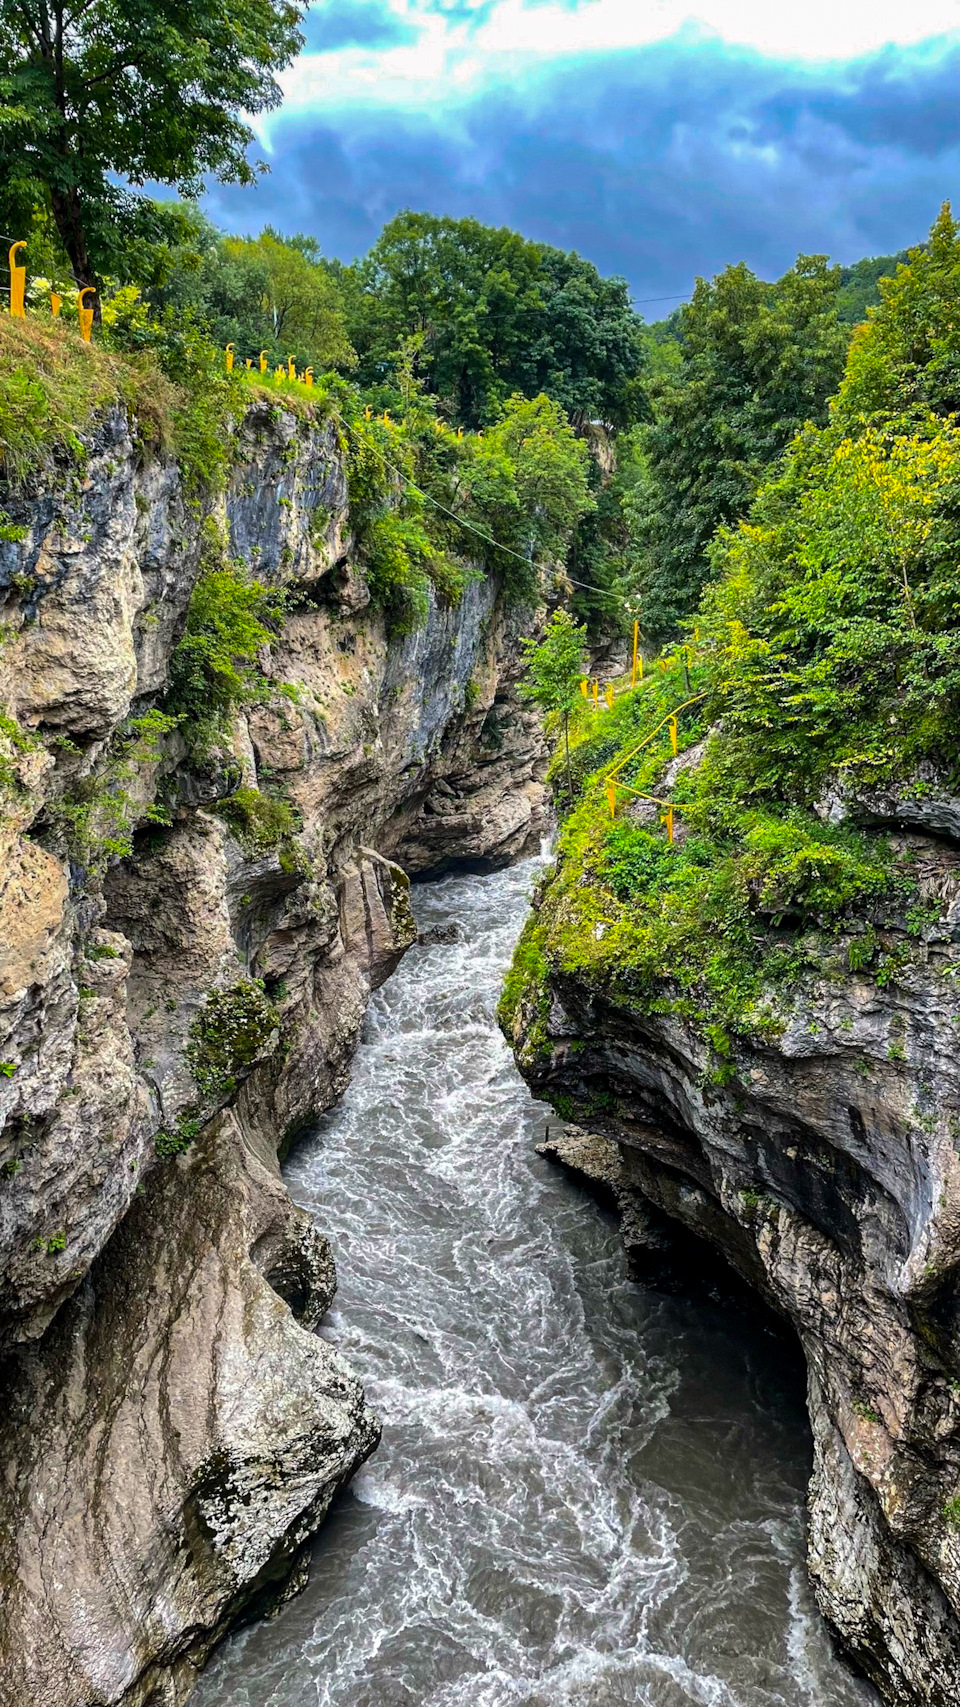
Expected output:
(136, 90)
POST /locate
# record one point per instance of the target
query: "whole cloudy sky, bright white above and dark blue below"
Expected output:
(660, 137)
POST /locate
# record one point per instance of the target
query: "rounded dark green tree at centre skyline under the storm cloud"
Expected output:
(498, 317)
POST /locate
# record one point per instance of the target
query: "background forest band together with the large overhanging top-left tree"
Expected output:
(592, 438)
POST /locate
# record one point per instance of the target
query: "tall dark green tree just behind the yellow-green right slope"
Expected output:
(756, 363)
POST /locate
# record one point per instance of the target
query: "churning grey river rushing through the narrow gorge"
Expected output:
(588, 1494)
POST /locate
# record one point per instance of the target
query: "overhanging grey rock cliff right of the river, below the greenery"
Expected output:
(826, 1167)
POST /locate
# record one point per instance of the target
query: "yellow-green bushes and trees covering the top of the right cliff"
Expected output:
(826, 665)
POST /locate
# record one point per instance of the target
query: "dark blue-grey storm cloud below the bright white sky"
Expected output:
(660, 163)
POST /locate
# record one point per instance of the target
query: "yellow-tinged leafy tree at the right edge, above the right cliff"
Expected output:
(836, 622)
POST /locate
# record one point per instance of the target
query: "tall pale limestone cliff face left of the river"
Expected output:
(173, 1428)
